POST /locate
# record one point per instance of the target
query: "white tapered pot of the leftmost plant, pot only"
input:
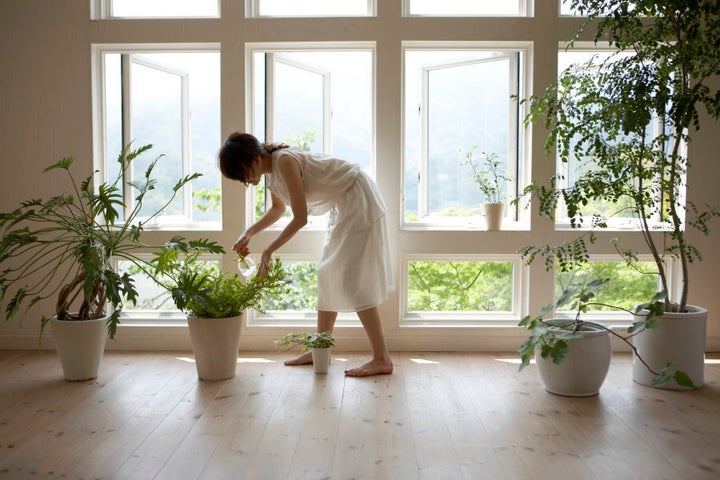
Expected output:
(80, 345)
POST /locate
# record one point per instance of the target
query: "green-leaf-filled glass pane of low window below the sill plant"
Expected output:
(464, 286)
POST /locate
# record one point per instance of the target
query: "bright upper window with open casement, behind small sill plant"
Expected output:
(458, 101)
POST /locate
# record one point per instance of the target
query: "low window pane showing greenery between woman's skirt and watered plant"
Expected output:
(302, 293)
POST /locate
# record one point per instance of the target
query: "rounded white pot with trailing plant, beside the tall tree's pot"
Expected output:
(585, 367)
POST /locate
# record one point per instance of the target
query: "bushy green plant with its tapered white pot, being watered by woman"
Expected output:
(213, 301)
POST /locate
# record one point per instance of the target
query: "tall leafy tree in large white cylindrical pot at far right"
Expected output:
(627, 120)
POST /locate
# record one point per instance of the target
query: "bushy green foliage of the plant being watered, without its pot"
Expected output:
(203, 291)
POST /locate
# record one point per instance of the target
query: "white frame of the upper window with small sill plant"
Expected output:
(517, 220)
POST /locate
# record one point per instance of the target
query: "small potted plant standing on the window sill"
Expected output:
(491, 178)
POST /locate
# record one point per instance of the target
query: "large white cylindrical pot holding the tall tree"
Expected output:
(677, 338)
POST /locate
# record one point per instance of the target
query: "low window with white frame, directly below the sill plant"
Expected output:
(460, 290)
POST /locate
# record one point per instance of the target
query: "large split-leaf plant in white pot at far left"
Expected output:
(63, 248)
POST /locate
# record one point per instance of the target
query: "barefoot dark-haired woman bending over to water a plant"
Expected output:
(354, 271)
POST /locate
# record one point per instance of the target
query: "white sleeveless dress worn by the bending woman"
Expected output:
(355, 269)
